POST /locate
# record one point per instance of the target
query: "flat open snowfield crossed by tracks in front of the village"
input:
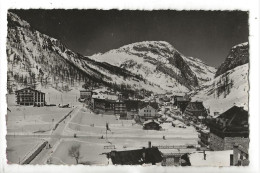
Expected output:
(28, 127)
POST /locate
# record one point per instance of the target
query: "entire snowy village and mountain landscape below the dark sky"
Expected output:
(153, 107)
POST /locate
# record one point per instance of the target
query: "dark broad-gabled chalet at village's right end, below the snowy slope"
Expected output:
(195, 111)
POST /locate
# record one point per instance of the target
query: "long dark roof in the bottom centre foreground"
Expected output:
(136, 157)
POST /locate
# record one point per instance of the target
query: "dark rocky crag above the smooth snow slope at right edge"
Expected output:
(237, 56)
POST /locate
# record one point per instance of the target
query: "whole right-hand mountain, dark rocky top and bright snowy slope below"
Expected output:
(231, 85)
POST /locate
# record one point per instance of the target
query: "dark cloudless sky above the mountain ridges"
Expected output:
(207, 35)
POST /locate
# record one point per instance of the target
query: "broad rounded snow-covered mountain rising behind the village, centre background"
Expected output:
(161, 64)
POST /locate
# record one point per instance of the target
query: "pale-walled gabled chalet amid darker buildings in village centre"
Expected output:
(148, 110)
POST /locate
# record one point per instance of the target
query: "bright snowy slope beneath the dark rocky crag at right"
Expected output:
(230, 88)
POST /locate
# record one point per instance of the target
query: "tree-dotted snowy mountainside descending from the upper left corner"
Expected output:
(37, 60)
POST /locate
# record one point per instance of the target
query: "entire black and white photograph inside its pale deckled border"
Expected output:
(165, 88)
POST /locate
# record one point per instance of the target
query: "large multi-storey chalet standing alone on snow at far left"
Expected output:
(29, 96)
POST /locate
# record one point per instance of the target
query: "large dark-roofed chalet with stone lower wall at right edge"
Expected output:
(228, 129)
